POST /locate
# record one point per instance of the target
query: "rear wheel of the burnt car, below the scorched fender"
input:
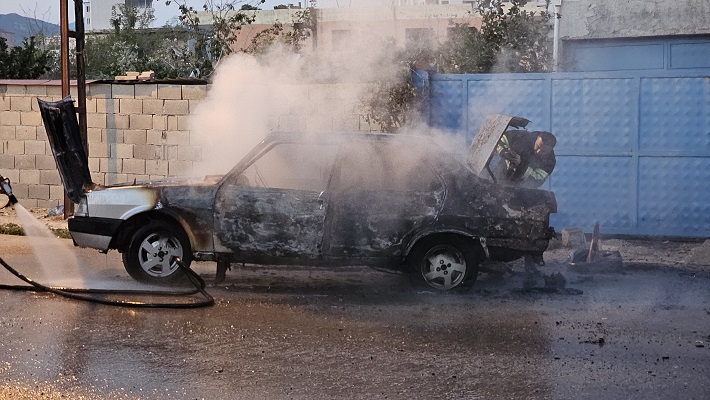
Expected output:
(445, 263)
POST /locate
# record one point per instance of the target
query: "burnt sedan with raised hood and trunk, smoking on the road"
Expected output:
(387, 200)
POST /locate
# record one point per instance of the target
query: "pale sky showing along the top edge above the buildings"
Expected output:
(48, 10)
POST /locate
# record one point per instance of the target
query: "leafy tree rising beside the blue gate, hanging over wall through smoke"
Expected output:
(510, 40)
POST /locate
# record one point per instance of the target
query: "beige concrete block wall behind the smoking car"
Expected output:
(134, 132)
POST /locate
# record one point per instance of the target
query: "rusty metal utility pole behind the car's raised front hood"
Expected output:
(79, 38)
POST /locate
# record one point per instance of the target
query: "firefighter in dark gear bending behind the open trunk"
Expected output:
(527, 158)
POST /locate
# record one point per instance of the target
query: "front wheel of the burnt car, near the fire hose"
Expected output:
(153, 251)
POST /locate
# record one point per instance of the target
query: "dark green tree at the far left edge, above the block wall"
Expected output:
(23, 62)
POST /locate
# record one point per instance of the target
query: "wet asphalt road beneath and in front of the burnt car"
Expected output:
(356, 333)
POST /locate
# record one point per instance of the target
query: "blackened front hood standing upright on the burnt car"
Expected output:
(62, 128)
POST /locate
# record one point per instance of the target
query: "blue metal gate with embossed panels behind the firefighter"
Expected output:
(633, 148)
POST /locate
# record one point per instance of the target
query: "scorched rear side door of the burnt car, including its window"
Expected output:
(384, 191)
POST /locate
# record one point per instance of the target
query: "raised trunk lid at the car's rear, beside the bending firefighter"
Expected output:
(484, 144)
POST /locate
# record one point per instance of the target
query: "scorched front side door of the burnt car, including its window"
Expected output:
(275, 207)
